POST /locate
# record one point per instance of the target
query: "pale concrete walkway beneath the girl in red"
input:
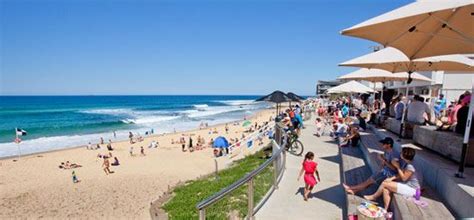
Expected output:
(328, 198)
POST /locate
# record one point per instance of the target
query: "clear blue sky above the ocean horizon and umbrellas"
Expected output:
(226, 47)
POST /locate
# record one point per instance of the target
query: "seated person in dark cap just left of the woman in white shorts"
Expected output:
(388, 170)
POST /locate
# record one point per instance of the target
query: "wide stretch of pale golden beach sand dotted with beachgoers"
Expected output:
(35, 187)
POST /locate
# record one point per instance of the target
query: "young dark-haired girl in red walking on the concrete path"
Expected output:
(309, 168)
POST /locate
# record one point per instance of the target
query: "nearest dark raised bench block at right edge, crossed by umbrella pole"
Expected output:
(448, 144)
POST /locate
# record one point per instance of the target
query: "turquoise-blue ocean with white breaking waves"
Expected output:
(57, 122)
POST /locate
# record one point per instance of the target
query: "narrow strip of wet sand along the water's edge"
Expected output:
(66, 148)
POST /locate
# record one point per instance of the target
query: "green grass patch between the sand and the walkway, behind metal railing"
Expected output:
(183, 204)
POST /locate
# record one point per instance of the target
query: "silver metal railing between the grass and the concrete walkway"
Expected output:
(278, 160)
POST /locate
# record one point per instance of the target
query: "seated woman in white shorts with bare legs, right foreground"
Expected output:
(406, 174)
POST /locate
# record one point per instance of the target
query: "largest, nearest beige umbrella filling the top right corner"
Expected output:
(423, 28)
